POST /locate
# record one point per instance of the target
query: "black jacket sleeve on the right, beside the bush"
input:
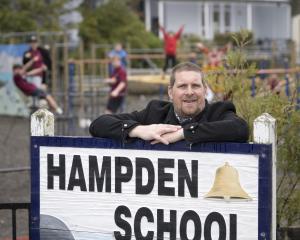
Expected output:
(225, 126)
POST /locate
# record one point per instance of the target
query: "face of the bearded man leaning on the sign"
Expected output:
(188, 93)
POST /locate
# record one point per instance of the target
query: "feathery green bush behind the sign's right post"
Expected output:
(236, 80)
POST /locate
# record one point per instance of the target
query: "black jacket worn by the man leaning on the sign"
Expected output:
(216, 123)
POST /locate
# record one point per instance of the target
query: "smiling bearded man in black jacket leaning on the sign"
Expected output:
(188, 116)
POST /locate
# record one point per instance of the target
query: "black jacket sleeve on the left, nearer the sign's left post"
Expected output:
(116, 126)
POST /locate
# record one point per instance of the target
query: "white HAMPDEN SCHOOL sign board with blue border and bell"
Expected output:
(96, 189)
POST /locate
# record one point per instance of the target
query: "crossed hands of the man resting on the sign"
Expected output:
(154, 132)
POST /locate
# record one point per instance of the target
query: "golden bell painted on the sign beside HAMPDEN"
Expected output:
(227, 185)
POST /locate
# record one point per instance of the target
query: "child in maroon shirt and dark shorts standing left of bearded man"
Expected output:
(118, 85)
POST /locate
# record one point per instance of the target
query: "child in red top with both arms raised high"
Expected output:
(170, 41)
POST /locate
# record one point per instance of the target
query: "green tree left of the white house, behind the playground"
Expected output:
(115, 22)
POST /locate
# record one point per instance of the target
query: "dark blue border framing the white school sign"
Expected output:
(264, 151)
